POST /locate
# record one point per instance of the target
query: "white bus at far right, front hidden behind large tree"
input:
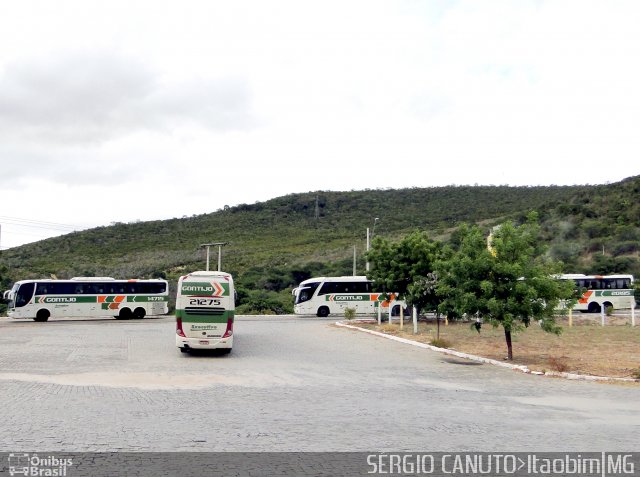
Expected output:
(599, 292)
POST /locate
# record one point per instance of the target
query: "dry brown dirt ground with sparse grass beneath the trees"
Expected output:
(586, 347)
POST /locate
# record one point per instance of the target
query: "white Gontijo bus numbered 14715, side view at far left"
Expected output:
(88, 297)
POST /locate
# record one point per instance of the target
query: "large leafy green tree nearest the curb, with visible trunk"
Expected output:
(510, 284)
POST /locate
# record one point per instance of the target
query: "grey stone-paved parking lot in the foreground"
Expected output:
(291, 384)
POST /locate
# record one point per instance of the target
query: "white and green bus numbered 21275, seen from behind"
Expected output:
(205, 311)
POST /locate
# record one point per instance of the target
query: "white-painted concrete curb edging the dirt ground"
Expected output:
(480, 359)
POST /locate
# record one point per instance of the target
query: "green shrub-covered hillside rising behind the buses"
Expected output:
(273, 245)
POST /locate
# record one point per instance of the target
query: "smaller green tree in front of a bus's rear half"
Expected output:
(396, 266)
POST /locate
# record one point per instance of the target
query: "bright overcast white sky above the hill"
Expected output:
(138, 109)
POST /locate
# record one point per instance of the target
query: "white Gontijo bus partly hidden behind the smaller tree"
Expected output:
(323, 296)
